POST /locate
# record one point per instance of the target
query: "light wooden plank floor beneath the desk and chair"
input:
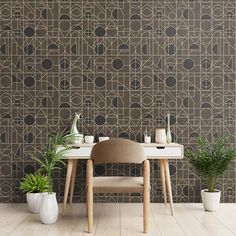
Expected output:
(122, 219)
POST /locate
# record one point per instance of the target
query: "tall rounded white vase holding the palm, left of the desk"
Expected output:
(49, 208)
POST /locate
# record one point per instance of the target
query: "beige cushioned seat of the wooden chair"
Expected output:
(118, 184)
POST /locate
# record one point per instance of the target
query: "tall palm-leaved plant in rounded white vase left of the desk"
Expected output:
(49, 162)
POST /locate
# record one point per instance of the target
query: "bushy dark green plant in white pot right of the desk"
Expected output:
(211, 161)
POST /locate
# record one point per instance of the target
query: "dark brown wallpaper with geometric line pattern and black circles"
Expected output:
(123, 65)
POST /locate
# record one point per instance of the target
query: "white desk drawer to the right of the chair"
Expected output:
(163, 152)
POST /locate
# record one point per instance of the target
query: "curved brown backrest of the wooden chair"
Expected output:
(117, 151)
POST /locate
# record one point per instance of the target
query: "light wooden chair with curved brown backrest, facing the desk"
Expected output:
(118, 151)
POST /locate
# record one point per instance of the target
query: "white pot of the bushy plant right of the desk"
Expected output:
(211, 200)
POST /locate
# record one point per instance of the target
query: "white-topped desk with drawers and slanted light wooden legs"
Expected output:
(161, 152)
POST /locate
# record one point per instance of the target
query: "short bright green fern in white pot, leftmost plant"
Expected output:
(34, 185)
